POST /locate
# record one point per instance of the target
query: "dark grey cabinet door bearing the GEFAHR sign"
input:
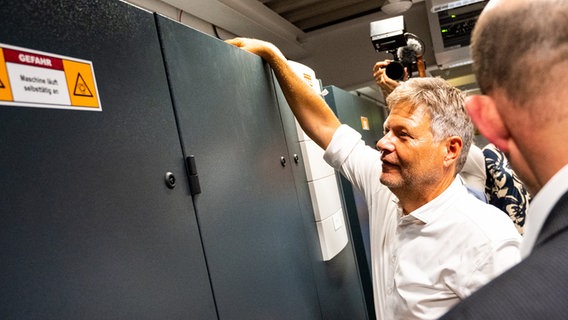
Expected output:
(88, 227)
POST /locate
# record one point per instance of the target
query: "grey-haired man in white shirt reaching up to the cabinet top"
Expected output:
(432, 243)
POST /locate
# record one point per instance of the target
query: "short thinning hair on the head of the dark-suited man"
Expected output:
(516, 45)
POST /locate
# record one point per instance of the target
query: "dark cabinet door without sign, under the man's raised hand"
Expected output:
(248, 210)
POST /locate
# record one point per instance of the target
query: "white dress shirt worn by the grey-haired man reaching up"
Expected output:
(427, 261)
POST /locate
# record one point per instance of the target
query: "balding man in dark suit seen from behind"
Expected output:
(520, 54)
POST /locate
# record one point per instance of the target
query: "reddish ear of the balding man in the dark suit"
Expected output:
(484, 114)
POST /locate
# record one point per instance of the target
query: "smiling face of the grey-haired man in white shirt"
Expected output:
(411, 160)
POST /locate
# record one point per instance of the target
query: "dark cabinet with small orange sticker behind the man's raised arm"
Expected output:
(367, 117)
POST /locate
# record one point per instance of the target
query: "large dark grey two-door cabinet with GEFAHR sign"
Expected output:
(98, 217)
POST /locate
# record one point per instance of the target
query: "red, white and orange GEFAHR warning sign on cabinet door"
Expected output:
(31, 78)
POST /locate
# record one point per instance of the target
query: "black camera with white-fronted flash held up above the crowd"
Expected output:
(389, 35)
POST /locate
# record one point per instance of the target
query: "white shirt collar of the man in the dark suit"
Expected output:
(540, 207)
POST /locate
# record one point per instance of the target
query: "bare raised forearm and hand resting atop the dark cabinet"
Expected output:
(314, 115)
